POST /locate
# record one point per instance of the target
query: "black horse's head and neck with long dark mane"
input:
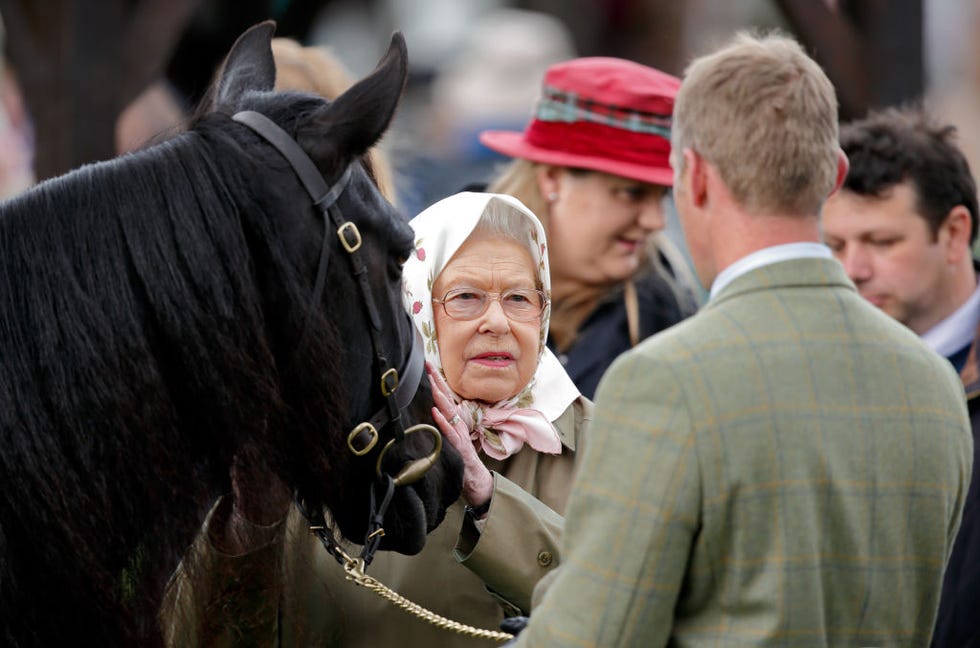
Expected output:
(160, 318)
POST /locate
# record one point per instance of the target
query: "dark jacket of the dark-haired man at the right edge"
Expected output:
(958, 621)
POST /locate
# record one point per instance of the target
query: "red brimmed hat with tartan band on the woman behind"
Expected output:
(600, 113)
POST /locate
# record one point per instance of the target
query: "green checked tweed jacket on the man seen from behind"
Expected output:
(786, 467)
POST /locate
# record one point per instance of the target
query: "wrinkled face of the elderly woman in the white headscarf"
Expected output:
(490, 358)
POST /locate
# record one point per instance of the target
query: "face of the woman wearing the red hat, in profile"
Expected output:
(598, 226)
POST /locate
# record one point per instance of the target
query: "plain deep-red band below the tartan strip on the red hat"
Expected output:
(600, 141)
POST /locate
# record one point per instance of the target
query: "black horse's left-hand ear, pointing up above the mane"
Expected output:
(249, 66)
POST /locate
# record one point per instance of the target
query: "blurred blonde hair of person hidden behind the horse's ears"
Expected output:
(317, 70)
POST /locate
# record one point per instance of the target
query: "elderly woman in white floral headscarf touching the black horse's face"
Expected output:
(478, 290)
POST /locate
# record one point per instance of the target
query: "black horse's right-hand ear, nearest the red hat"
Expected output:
(359, 117)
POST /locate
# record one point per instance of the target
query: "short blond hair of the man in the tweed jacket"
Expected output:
(764, 114)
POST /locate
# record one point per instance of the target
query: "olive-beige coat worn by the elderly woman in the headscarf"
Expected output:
(290, 592)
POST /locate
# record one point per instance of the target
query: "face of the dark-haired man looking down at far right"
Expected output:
(889, 252)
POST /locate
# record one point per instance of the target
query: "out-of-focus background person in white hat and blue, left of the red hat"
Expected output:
(490, 79)
